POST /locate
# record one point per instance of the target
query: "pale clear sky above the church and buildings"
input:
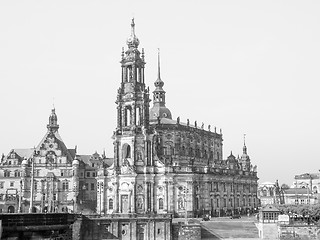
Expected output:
(248, 67)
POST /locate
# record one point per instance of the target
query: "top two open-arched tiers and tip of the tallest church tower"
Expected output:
(133, 97)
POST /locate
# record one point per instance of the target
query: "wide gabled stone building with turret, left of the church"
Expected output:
(49, 177)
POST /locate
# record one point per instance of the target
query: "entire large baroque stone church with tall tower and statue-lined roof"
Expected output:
(165, 166)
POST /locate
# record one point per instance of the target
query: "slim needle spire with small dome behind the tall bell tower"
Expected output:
(159, 108)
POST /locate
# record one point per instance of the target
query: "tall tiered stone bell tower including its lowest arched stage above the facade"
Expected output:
(132, 106)
